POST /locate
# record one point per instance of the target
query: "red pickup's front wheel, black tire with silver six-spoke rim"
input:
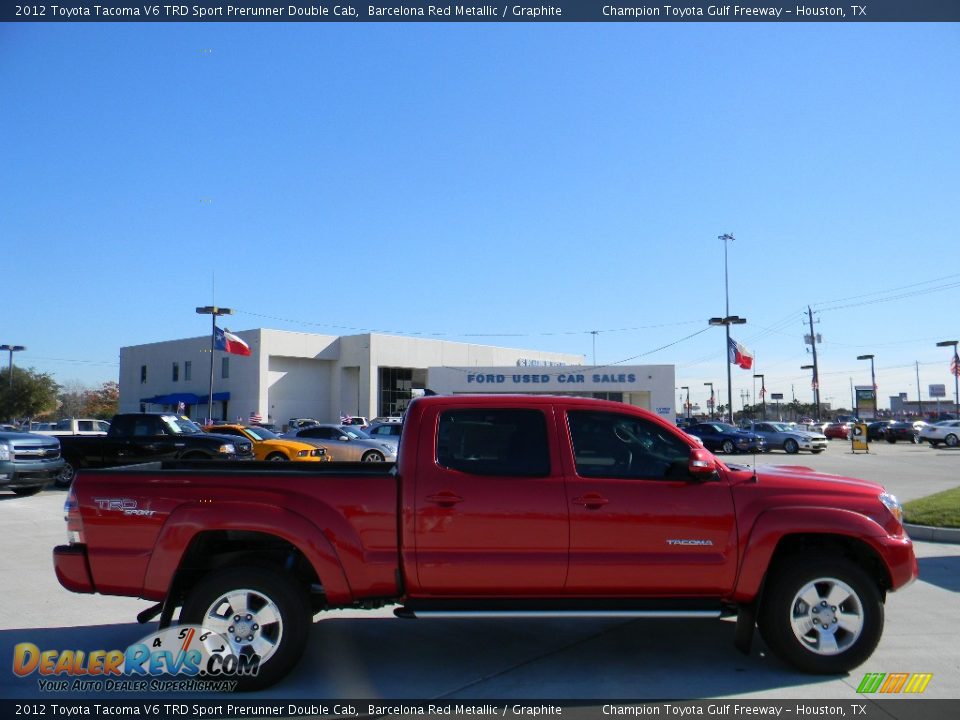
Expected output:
(785, 614)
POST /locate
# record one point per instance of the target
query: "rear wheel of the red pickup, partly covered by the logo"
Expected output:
(261, 612)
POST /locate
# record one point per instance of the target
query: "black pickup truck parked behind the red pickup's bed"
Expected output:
(146, 437)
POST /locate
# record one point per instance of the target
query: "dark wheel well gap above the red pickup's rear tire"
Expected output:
(217, 549)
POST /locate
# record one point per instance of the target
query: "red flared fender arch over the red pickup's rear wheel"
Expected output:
(189, 520)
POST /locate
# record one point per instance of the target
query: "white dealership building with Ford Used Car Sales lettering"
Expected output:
(293, 374)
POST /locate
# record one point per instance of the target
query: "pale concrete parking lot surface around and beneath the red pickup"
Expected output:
(370, 654)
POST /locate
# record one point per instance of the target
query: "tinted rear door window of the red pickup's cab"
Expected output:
(504, 442)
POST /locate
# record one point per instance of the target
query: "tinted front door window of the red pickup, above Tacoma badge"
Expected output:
(622, 446)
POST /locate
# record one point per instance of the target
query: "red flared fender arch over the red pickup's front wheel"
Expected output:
(775, 524)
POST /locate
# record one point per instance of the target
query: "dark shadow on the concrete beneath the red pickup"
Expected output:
(381, 657)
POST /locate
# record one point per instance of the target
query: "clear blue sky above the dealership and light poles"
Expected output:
(514, 185)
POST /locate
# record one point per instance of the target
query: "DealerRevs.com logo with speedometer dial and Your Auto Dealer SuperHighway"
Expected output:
(181, 658)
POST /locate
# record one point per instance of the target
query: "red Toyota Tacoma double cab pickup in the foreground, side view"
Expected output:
(510, 505)
